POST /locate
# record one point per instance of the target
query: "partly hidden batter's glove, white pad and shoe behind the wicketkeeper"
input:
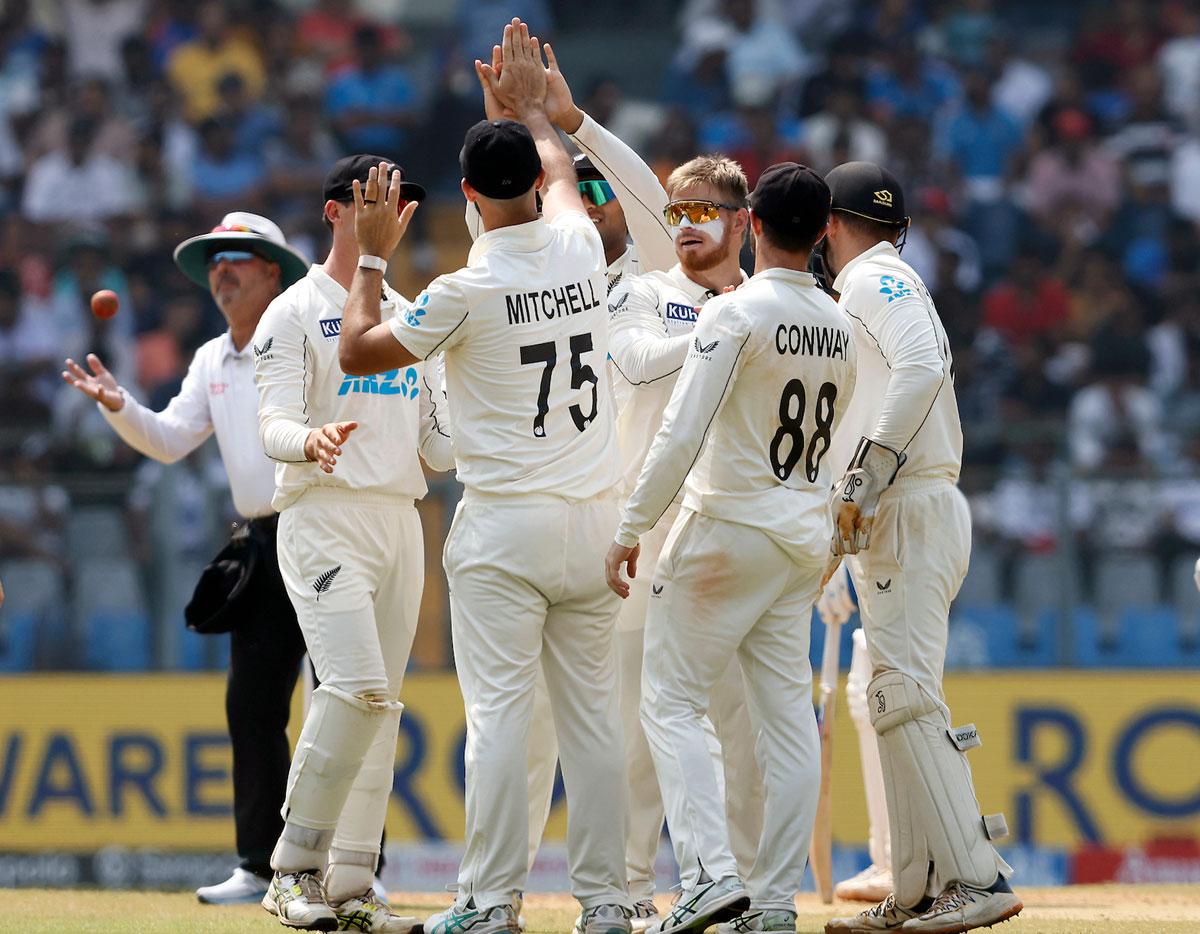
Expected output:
(873, 884)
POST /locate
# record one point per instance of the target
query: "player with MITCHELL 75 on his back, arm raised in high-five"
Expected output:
(524, 331)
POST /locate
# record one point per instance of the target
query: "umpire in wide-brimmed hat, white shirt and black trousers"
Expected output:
(245, 264)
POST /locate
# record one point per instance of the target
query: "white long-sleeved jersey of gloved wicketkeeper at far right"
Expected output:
(905, 397)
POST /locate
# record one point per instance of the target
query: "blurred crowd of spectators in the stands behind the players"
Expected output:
(1053, 176)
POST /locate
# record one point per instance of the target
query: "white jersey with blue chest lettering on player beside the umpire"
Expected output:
(302, 387)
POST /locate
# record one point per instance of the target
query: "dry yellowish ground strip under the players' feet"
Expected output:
(1076, 911)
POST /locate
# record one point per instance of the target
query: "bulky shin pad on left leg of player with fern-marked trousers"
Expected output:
(338, 733)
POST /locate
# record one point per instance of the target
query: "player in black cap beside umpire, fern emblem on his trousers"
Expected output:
(351, 552)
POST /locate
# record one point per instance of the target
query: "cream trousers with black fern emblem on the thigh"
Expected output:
(355, 568)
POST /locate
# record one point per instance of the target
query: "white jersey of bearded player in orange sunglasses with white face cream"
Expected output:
(651, 322)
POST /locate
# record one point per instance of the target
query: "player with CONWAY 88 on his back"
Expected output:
(769, 376)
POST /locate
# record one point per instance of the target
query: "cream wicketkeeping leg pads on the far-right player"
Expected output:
(938, 834)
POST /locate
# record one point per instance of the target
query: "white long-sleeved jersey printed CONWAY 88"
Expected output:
(751, 422)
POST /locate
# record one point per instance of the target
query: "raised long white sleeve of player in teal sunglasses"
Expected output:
(638, 190)
